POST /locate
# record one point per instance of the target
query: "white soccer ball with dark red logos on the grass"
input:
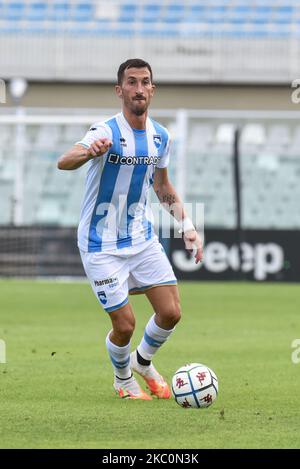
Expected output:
(194, 385)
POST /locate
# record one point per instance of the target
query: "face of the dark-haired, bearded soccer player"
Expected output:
(136, 90)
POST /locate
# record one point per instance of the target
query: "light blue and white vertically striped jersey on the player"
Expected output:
(116, 210)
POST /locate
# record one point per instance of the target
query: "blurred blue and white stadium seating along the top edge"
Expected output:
(236, 18)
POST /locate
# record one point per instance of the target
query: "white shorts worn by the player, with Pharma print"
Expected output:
(114, 275)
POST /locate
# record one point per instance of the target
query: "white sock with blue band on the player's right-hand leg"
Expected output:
(154, 338)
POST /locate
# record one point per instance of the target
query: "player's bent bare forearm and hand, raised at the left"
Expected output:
(79, 155)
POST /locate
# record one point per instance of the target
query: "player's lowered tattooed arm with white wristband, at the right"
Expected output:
(170, 200)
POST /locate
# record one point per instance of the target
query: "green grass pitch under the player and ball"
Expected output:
(56, 387)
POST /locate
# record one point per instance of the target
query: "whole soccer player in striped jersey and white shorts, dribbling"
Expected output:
(120, 252)
